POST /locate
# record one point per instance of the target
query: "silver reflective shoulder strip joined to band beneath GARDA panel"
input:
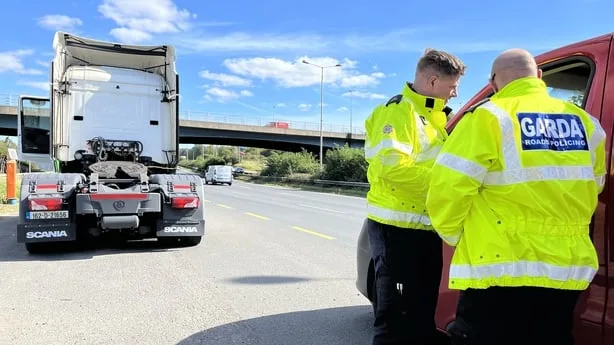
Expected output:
(514, 172)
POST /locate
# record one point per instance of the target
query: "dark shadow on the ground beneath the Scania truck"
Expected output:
(10, 250)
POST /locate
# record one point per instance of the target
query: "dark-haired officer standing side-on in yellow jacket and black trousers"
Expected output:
(402, 141)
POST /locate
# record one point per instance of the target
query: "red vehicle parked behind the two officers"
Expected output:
(582, 72)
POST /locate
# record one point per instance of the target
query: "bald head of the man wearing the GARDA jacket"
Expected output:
(514, 64)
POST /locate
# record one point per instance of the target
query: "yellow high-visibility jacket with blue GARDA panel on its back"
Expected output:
(514, 189)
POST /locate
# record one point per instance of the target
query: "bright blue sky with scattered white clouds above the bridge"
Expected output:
(242, 58)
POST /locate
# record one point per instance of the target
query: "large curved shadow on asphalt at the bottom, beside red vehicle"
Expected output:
(334, 326)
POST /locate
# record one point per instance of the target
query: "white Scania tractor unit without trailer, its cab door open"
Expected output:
(108, 134)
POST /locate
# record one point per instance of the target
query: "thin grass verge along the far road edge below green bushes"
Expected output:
(304, 184)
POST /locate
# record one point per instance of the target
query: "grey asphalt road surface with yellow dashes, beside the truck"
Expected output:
(277, 266)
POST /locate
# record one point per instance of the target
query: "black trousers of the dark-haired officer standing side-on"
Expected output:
(408, 266)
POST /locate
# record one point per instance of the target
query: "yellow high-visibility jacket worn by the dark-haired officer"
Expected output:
(402, 141)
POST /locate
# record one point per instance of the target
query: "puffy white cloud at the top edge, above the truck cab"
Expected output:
(139, 19)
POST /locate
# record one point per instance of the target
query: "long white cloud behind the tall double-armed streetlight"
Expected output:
(298, 74)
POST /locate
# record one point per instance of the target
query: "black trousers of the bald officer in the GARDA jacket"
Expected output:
(514, 315)
